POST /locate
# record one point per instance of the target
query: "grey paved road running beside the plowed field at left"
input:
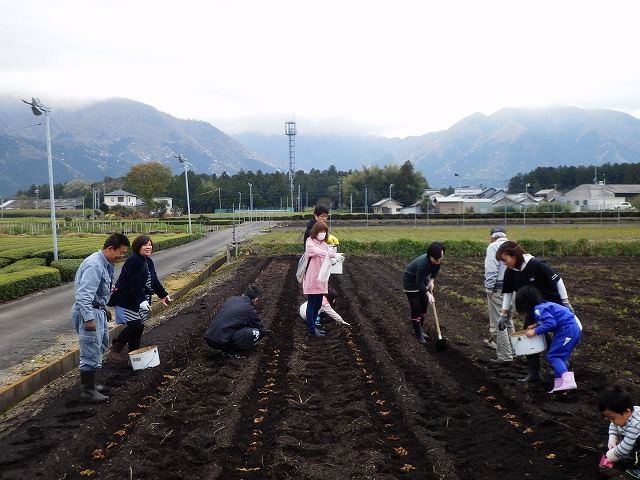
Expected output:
(30, 325)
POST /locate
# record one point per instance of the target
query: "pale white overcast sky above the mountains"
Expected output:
(392, 68)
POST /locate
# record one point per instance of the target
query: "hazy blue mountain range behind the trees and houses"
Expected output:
(106, 138)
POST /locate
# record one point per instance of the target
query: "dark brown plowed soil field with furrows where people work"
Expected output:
(366, 402)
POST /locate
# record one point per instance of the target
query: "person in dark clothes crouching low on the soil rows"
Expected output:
(237, 327)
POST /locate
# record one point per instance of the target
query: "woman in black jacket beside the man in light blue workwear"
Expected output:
(137, 283)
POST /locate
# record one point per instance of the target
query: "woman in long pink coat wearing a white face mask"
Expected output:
(316, 250)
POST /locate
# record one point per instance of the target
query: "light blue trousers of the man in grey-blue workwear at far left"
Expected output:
(92, 344)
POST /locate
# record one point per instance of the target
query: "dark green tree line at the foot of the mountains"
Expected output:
(345, 190)
